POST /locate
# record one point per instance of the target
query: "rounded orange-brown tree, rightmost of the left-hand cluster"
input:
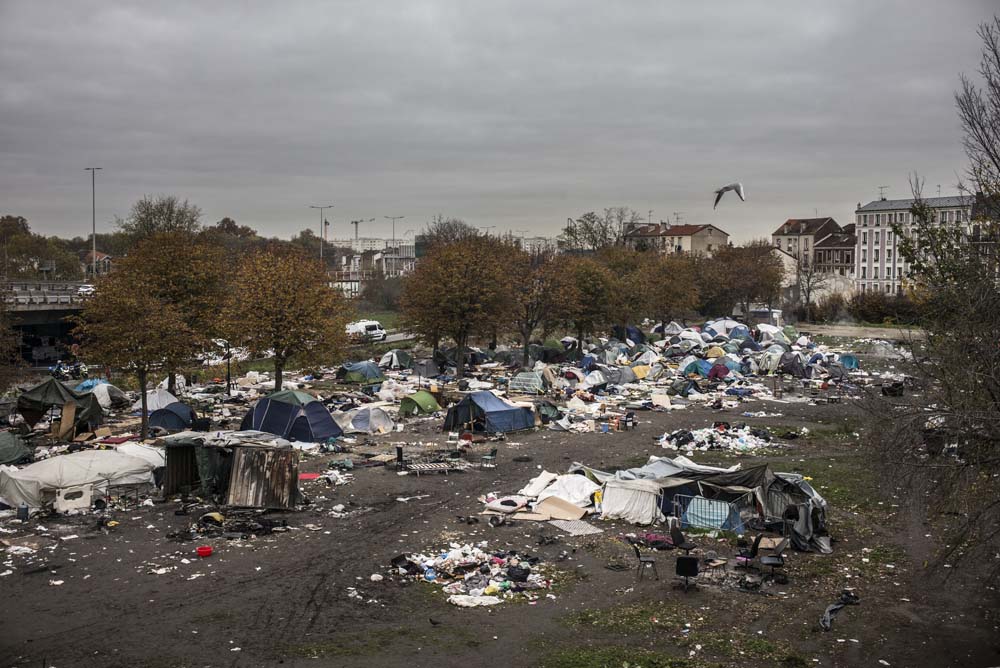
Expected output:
(281, 303)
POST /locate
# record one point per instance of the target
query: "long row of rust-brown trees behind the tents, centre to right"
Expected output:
(479, 286)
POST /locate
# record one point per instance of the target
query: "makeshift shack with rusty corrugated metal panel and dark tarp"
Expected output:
(234, 468)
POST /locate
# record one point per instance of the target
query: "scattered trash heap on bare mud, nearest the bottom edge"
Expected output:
(472, 576)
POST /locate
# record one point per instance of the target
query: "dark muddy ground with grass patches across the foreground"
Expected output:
(285, 600)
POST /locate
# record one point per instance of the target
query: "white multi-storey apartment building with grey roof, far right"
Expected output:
(879, 266)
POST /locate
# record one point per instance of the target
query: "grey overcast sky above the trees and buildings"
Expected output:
(508, 114)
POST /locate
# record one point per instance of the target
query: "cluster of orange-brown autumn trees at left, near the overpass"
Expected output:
(182, 287)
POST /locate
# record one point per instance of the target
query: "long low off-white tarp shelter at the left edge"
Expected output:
(37, 484)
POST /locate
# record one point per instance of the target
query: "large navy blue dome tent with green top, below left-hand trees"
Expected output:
(293, 415)
